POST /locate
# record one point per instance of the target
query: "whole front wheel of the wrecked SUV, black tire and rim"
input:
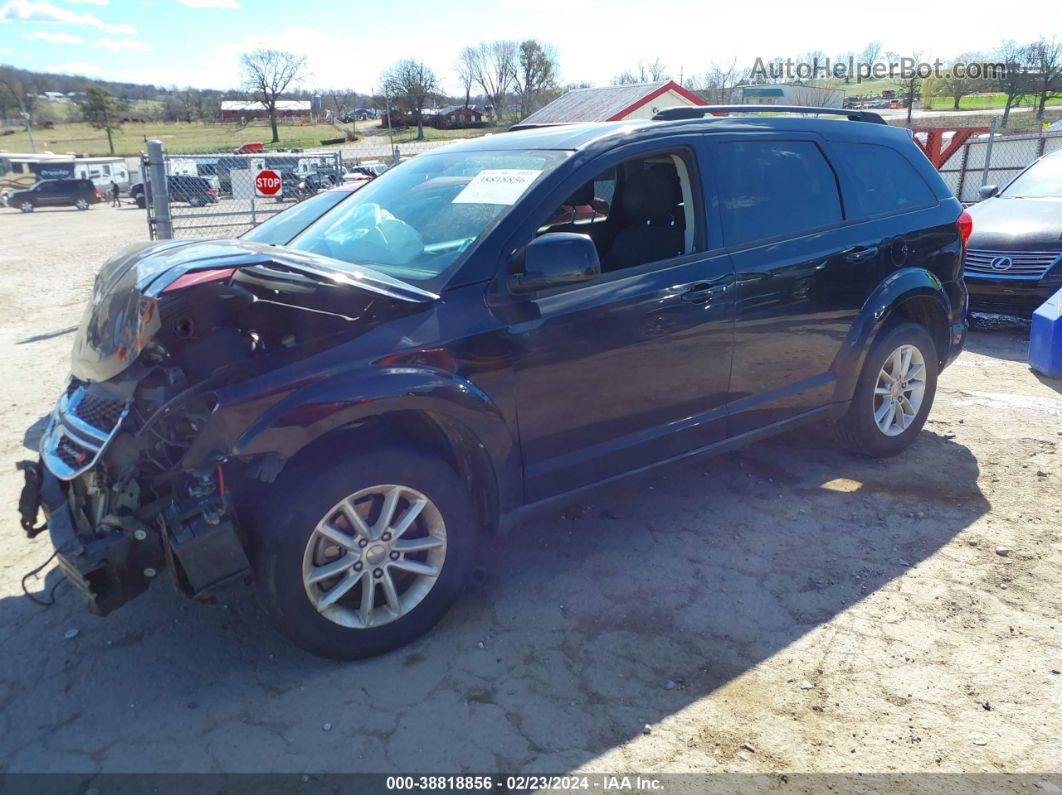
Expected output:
(358, 558)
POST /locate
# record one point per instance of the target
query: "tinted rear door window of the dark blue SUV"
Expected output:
(769, 189)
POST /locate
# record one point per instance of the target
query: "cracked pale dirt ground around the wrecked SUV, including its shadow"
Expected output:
(789, 609)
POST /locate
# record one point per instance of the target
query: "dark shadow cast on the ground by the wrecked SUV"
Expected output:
(615, 613)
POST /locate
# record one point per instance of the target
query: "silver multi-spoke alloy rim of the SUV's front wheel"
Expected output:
(374, 557)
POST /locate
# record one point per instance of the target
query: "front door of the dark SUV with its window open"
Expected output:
(631, 369)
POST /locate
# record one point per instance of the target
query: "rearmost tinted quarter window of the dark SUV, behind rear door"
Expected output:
(883, 181)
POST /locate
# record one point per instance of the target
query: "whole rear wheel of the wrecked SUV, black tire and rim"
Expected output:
(894, 395)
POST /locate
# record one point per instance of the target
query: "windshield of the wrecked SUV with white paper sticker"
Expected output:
(418, 221)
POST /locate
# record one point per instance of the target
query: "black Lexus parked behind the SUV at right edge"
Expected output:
(1015, 261)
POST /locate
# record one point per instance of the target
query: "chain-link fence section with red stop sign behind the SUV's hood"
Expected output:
(214, 196)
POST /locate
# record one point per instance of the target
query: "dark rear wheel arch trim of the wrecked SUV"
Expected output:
(899, 287)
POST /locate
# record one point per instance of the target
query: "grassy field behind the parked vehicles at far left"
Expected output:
(177, 136)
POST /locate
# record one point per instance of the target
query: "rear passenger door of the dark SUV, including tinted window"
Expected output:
(803, 270)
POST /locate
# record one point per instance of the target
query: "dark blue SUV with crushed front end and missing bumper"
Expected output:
(483, 331)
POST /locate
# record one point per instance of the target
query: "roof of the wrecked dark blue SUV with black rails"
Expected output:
(585, 136)
